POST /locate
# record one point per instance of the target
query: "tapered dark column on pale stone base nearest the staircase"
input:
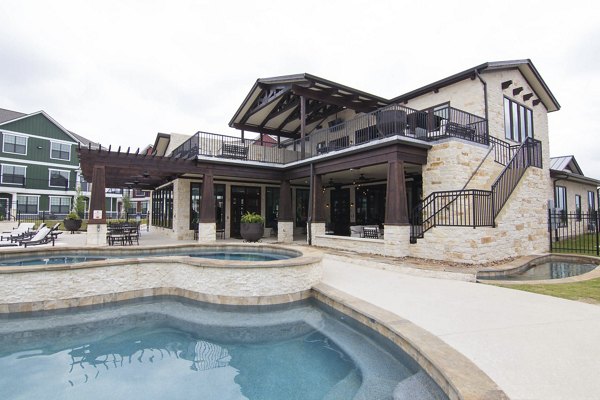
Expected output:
(397, 228)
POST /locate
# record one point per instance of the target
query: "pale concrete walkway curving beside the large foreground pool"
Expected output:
(532, 346)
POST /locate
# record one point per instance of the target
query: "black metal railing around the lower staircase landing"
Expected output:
(467, 208)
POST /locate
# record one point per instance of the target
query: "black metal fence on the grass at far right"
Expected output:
(575, 232)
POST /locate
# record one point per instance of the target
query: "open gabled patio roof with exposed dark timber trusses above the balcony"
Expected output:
(273, 104)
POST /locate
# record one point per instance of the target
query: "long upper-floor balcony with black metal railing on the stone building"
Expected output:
(393, 120)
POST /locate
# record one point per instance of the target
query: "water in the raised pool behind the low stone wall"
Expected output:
(70, 259)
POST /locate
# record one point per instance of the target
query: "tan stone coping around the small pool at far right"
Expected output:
(511, 268)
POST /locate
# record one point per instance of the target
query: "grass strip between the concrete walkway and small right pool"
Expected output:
(586, 291)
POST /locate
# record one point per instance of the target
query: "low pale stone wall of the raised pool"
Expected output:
(47, 288)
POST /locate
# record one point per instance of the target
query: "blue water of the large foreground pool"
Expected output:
(174, 349)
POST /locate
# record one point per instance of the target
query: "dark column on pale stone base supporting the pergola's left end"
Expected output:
(96, 230)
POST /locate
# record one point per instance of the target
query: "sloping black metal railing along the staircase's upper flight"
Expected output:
(528, 154)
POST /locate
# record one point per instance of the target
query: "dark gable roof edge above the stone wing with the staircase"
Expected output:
(526, 68)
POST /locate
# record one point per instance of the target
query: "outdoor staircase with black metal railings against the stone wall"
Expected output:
(474, 207)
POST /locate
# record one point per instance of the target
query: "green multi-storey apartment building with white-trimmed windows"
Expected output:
(39, 166)
